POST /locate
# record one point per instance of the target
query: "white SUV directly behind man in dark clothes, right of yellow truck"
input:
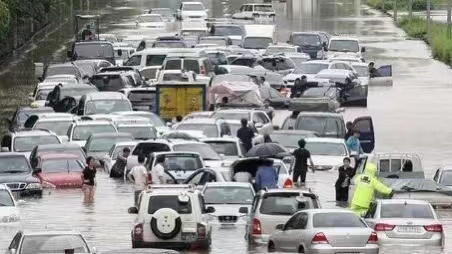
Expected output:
(259, 118)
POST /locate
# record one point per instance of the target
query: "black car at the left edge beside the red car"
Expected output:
(17, 174)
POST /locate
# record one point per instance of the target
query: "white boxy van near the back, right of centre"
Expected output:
(259, 36)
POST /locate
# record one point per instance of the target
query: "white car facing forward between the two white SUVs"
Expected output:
(227, 198)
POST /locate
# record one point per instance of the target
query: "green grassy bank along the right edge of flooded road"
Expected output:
(440, 44)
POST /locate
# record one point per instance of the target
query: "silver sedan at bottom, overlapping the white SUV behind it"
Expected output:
(318, 231)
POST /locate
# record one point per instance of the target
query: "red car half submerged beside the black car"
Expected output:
(60, 170)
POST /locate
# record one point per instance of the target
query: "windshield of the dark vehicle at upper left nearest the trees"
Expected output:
(93, 50)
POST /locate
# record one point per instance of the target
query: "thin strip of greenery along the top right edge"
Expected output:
(418, 5)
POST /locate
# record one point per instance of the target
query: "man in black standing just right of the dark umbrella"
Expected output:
(302, 155)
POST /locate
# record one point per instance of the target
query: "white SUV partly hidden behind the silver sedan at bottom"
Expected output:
(273, 207)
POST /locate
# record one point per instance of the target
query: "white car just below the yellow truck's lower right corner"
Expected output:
(209, 127)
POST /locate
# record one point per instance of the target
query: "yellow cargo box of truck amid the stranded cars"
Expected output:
(180, 99)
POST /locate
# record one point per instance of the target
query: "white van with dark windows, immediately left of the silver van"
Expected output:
(147, 57)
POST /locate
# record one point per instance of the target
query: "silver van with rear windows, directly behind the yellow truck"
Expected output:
(189, 59)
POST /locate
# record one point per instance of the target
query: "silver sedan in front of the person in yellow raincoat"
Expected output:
(405, 221)
